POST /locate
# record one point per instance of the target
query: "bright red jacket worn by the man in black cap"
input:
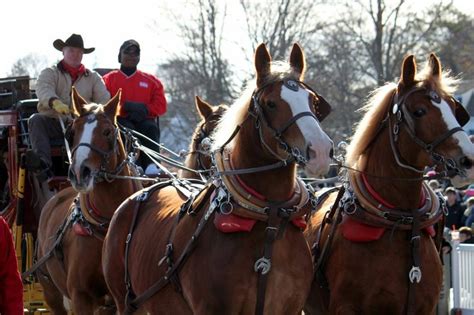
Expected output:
(139, 87)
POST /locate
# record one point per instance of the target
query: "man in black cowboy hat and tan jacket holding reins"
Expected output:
(53, 89)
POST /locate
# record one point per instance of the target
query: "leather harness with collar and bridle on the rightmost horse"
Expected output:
(356, 201)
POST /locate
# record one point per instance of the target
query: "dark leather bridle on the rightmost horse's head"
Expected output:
(404, 118)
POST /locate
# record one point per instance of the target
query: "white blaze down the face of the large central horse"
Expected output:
(320, 145)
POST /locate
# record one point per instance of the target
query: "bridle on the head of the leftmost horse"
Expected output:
(103, 173)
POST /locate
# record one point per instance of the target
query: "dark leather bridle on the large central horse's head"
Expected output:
(321, 107)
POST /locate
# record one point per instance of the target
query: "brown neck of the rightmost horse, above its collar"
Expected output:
(380, 162)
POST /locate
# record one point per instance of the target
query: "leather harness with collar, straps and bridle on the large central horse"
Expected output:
(228, 197)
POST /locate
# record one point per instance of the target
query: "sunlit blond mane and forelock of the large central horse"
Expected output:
(237, 112)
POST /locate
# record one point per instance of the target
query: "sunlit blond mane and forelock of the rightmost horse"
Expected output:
(376, 108)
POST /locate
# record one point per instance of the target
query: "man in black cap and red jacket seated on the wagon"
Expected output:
(143, 99)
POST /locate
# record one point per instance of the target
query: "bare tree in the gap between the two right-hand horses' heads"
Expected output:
(364, 48)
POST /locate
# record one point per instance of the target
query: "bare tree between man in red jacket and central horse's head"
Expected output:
(200, 69)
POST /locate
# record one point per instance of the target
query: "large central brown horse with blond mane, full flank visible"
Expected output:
(176, 262)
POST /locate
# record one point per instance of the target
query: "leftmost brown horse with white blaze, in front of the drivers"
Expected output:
(73, 223)
